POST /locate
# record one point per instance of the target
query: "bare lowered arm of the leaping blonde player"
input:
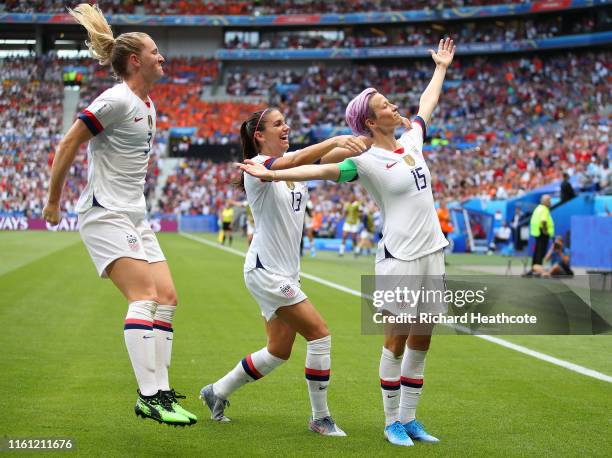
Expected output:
(64, 157)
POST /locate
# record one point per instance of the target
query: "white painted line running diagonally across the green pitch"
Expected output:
(496, 340)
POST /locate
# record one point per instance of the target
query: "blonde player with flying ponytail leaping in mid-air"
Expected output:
(119, 126)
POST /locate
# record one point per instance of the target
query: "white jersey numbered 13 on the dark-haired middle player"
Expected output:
(278, 211)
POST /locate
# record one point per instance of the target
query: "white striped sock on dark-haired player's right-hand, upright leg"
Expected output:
(318, 363)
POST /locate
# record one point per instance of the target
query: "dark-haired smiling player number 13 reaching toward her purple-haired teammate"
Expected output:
(271, 269)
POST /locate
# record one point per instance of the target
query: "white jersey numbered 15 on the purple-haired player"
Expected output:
(400, 183)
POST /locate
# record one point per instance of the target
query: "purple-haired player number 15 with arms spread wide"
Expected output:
(395, 174)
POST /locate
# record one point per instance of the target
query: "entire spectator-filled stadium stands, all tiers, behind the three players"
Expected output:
(506, 125)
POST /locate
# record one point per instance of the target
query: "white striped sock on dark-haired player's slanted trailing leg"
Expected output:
(251, 368)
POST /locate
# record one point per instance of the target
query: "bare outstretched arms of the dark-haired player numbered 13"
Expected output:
(340, 147)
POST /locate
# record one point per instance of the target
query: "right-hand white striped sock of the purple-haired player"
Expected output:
(413, 366)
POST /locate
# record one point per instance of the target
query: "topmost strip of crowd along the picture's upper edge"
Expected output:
(167, 7)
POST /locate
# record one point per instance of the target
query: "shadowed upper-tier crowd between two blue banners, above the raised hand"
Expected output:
(483, 31)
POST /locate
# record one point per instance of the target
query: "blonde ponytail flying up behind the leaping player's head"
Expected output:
(101, 40)
